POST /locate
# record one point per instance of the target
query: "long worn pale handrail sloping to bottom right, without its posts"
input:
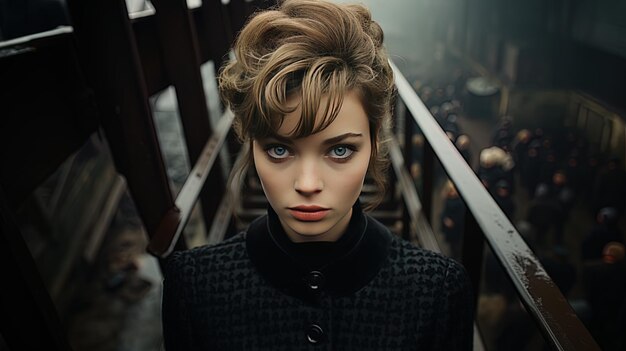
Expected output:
(545, 303)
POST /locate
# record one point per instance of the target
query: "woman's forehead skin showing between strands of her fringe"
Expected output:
(350, 118)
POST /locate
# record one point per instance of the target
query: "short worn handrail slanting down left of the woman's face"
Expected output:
(163, 241)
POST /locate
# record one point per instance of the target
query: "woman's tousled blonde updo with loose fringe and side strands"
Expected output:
(314, 49)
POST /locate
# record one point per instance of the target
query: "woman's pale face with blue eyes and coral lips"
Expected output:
(313, 182)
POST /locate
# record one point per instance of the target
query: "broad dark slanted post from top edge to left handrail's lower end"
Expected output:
(107, 44)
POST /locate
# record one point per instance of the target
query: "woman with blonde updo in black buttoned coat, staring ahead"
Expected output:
(311, 89)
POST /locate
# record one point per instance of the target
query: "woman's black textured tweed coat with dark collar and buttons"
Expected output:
(374, 292)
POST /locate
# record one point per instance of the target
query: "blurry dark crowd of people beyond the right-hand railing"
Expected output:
(538, 177)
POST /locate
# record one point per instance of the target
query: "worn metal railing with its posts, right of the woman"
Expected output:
(485, 221)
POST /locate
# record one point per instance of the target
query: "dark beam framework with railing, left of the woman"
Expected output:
(105, 68)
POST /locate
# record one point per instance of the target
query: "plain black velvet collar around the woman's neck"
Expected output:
(348, 264)
